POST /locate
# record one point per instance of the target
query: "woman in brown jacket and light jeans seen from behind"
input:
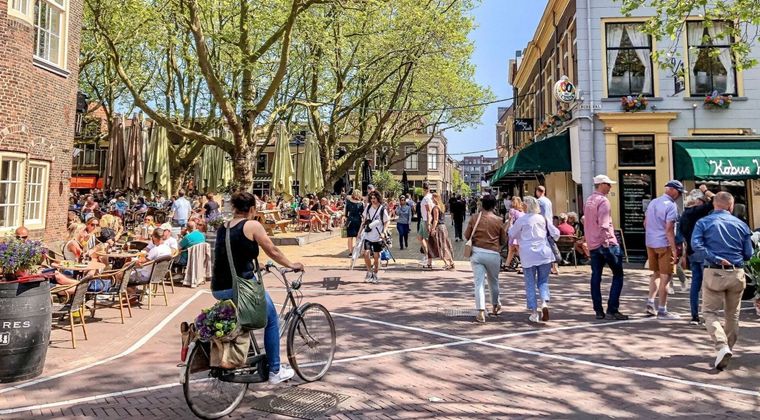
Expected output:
(486, 231)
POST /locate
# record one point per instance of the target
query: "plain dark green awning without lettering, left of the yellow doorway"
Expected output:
(549, 155)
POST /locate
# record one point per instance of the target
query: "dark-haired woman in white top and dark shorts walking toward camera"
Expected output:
(375, 222)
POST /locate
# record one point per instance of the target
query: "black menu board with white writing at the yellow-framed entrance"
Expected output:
(636, 191)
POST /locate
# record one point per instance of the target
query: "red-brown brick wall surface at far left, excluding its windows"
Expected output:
(37, 108)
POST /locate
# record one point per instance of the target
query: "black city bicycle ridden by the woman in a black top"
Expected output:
(211, 392)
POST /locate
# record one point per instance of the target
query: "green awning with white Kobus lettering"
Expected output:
(718, 159)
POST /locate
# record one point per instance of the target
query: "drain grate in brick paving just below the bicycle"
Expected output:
(299, 403)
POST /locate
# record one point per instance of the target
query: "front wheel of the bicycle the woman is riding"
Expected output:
(311, 342)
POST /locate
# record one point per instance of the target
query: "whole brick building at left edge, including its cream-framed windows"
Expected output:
(39, 55)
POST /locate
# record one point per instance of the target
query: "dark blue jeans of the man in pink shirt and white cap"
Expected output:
(612, 257)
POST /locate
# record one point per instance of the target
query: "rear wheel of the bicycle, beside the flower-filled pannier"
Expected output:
(206, 395)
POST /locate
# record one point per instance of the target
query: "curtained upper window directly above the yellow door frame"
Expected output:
(629, 61)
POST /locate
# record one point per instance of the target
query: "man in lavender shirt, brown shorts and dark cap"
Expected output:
(660, 235)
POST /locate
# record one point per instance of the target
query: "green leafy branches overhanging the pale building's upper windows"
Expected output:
(669, 17)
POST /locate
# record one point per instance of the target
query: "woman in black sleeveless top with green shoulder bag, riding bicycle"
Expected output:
(246, 236)
